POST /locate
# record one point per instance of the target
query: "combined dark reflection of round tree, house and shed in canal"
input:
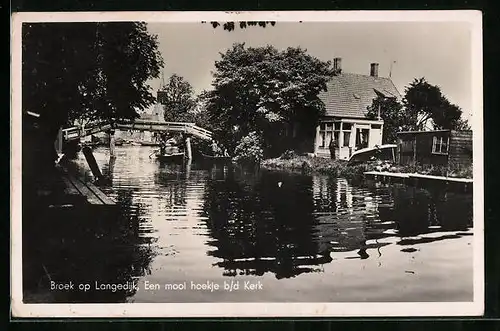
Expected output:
(292, 228)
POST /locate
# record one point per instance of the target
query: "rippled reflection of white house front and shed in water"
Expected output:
(349, 217)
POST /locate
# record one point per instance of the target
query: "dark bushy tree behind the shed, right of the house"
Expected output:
(426, 104)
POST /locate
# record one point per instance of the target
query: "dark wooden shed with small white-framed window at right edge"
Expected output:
(438, 147)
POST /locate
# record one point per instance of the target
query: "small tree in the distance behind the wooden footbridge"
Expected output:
(177, 99)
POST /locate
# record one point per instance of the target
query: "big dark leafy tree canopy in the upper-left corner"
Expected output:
(95, 71)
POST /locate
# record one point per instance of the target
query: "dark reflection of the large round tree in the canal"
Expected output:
(257, 227)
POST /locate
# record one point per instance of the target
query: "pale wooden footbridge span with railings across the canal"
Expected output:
(192, 129)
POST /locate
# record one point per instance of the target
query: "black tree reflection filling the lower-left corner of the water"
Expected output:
(84, 247)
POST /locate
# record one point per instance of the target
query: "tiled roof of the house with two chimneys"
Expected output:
(349, 95)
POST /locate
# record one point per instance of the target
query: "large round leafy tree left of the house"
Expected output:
(266, 91)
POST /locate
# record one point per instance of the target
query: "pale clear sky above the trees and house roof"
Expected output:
(438, 51)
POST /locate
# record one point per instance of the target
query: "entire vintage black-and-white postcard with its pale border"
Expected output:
(247, 164)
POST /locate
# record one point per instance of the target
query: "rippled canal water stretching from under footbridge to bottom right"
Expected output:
(211, 233)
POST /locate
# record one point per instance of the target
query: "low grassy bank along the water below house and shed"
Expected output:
(340, 168)
